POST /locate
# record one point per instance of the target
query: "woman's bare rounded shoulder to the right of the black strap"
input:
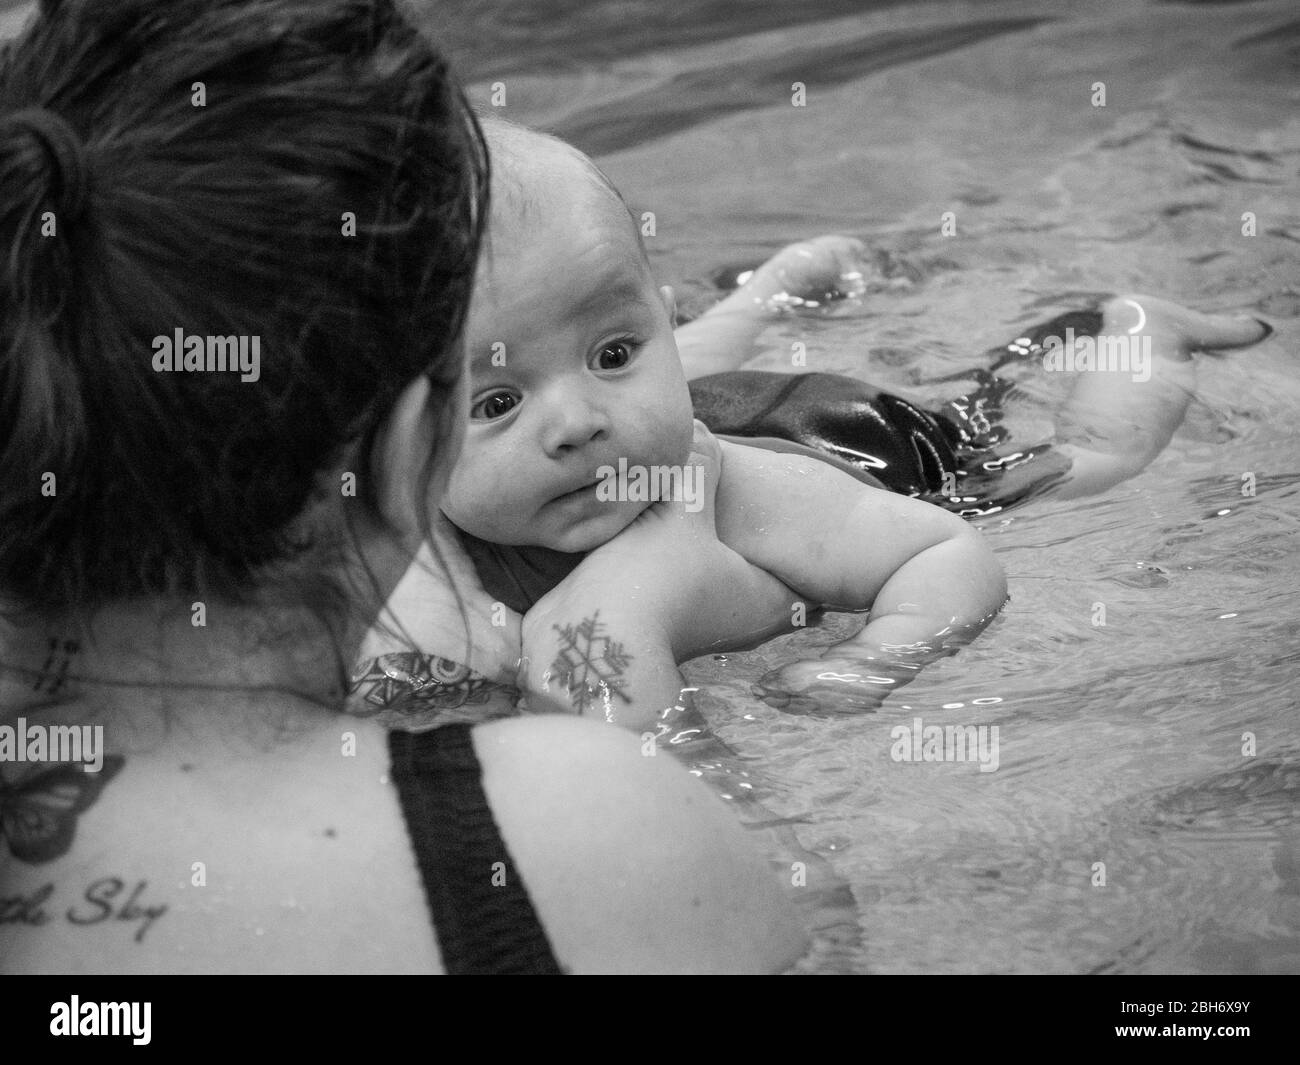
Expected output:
(632, 864)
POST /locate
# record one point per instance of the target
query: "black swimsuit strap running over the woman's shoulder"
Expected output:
(482, 912)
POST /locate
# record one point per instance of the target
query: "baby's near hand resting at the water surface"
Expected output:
(837, 685)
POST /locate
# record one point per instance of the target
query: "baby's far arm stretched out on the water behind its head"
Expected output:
(723, 337)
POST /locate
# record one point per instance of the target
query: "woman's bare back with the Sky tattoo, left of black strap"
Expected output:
(216, 851)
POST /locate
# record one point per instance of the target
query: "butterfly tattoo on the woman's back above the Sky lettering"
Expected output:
(38, 817)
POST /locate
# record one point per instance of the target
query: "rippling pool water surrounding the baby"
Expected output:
(1120, 744)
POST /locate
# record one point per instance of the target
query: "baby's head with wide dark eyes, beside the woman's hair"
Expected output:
(573, 360)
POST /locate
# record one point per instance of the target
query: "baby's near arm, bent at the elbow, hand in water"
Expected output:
(930, 579)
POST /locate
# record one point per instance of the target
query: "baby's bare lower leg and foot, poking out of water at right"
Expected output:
(1116, 421)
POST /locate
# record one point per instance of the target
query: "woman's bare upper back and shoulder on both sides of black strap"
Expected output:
(252, 832)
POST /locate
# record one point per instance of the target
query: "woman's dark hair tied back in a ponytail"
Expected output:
(194, 166)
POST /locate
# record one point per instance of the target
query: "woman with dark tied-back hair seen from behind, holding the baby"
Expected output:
(241, 245)
